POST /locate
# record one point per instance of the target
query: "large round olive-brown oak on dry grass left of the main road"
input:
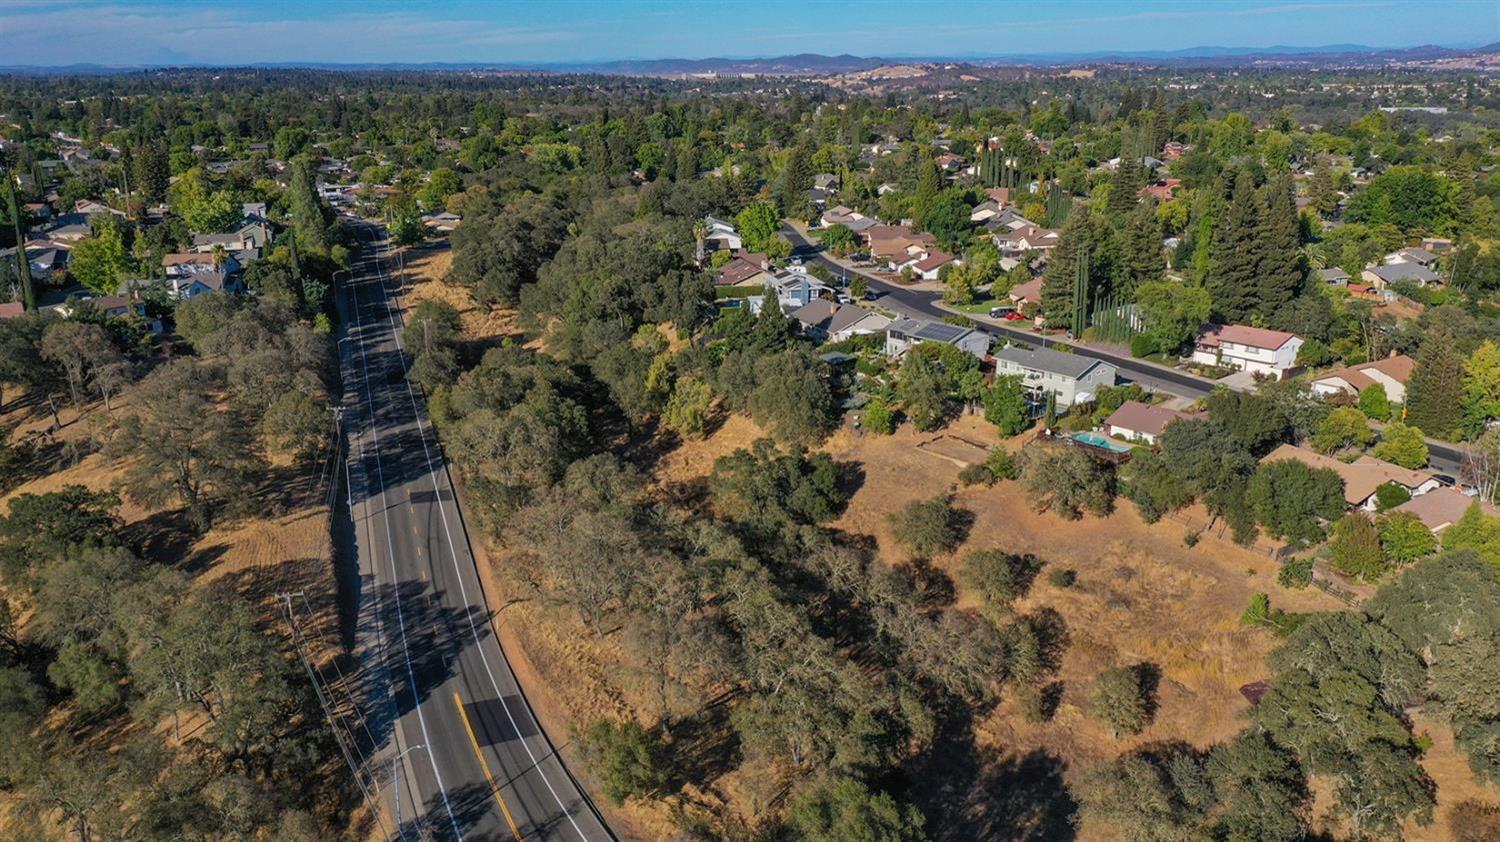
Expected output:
(185, 448)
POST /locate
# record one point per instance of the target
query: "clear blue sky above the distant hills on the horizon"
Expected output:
(235, 32)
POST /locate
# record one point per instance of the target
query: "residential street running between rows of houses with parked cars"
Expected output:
(1444, 459)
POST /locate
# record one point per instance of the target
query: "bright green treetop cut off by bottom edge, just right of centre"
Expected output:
(848, 811)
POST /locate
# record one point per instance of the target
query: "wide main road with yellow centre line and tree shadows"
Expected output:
(454, 748)
